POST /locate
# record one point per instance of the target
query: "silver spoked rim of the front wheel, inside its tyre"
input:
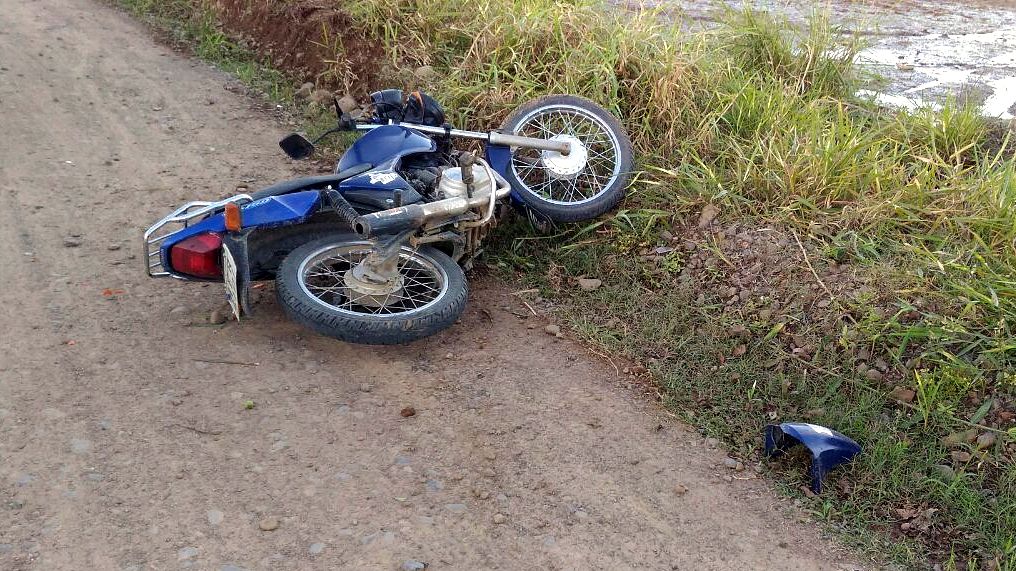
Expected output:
(559, 179)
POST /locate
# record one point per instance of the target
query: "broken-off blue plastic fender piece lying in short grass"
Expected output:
(830, 449)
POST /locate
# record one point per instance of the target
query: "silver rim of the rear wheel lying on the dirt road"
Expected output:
(323, 278)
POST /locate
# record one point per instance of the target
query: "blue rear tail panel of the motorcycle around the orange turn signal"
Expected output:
(267, 213)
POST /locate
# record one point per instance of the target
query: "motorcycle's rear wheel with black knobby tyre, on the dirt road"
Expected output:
(323, 286)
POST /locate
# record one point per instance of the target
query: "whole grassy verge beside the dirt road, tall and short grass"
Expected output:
(876, 248)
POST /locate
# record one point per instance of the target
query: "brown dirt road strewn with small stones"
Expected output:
(124, 439)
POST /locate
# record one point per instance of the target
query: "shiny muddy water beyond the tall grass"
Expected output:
(926, 50)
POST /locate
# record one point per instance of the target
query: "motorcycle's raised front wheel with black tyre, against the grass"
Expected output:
(588, 182)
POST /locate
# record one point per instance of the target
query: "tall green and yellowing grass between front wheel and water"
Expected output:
(755, 114)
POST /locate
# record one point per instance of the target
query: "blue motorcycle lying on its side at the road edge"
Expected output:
(375, 252)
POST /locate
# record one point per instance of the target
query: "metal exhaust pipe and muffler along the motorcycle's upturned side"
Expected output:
(396, 221)
